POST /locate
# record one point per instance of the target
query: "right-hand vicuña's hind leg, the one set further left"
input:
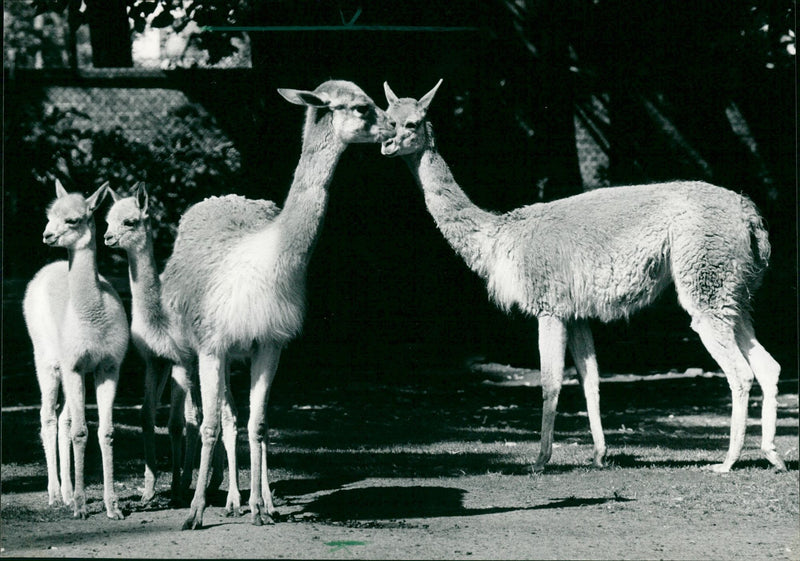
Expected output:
(719, 339)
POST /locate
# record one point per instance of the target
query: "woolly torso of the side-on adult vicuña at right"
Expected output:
(574, 258)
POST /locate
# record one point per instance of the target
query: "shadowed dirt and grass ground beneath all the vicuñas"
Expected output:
(439, 470)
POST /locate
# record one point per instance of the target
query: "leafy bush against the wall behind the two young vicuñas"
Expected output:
(189, 160)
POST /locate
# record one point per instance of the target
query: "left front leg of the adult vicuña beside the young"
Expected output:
(212, 387)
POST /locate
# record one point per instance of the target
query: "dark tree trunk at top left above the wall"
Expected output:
(110, 33)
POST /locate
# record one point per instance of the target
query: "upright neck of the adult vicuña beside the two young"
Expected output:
(303, 212)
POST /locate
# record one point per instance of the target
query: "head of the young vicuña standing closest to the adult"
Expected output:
(127, 220)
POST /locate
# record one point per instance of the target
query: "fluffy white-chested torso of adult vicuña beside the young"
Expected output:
(245, 293)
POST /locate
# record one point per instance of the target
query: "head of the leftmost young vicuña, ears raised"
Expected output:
(70, 218)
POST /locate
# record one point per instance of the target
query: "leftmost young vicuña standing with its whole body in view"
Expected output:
(77, 325)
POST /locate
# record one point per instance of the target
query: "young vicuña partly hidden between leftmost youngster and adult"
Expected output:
(160, 344)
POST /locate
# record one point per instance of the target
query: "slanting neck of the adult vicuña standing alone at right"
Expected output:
(466, 227)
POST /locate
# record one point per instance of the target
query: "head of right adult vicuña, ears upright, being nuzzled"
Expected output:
(407, 116)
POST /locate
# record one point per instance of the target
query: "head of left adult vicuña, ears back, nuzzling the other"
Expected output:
(354, 116)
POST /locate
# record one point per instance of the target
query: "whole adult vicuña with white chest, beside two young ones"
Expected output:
(237, 275)
